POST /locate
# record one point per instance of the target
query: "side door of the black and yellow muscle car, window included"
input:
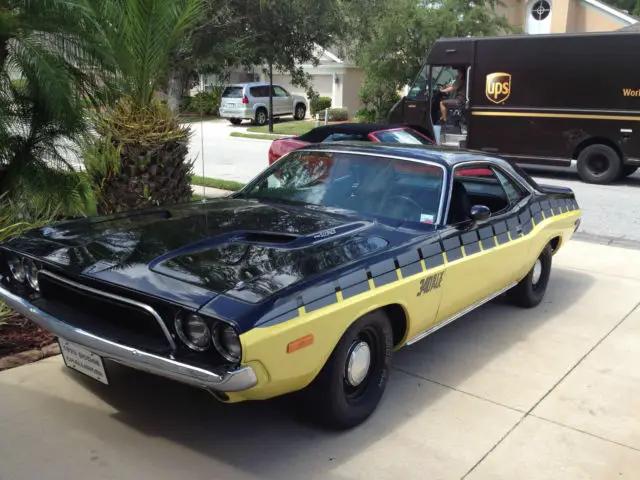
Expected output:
(483, 258)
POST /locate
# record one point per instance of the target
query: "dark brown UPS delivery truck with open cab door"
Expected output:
(544, 100)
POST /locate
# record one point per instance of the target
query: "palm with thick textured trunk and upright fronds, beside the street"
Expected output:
(139, 157)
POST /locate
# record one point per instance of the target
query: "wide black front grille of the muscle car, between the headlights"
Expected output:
(104, 316)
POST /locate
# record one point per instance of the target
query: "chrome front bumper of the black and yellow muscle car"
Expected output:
(231, 381)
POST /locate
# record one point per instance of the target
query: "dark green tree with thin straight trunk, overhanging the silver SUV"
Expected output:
(283, 34)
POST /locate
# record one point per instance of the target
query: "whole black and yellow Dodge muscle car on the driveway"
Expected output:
(305, 281)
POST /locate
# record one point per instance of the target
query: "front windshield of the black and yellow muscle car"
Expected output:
(385, 187)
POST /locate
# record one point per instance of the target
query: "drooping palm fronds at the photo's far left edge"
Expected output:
(51, 64)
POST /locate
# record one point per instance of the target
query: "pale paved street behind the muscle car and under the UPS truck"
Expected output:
(611, 211)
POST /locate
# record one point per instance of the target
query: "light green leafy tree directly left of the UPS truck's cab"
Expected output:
(392, 56)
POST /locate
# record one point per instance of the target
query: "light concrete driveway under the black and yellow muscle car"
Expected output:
(504, 393)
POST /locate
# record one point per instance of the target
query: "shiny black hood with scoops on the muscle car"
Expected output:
(190, 253)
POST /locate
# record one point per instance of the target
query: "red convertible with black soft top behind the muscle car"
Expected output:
(363, 132)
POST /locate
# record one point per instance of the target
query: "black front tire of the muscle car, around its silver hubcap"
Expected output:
(331, 400)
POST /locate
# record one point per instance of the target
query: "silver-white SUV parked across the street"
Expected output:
(250, 101)
